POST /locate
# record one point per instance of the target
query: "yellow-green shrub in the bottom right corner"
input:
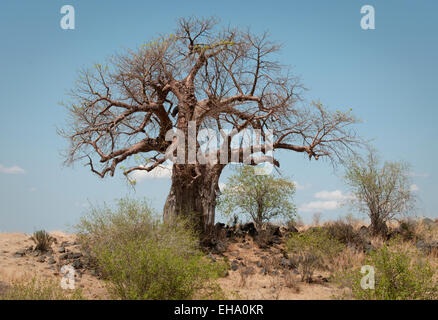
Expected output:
(401, 273)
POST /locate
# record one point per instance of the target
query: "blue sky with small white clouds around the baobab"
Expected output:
(387, 76)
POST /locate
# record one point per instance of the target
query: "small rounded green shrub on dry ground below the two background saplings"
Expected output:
(311, 250)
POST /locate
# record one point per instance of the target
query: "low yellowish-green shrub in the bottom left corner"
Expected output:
(38, 289)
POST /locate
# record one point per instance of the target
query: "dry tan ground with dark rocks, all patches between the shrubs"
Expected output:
(259, 265)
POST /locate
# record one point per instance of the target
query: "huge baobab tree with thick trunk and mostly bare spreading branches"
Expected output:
(206, 77)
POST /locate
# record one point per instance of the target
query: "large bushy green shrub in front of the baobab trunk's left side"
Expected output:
(142, 258)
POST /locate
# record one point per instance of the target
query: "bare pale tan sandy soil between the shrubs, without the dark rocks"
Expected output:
(248, 281)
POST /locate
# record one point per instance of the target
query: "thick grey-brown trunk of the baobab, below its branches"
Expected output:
(193, 194)
